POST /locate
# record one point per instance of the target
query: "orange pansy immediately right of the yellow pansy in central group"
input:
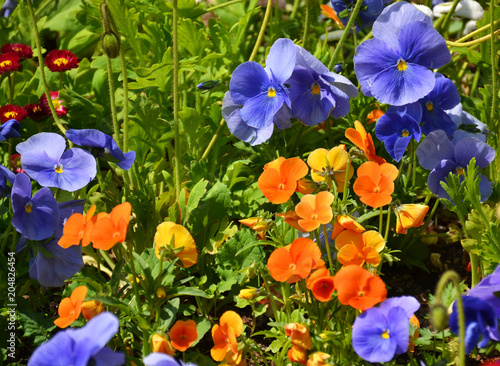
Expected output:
(375, 183)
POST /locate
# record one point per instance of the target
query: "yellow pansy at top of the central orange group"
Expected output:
(330, 164)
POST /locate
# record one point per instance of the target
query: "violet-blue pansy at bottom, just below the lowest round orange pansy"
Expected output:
(380, 333)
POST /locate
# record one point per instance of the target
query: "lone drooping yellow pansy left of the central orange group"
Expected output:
(182, 239)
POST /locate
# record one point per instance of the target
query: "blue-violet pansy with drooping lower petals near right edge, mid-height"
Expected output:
(442, 156)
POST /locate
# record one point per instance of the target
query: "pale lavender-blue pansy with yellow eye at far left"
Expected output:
(43, 158)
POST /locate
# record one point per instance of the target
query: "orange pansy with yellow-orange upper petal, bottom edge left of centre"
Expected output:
(225, 343)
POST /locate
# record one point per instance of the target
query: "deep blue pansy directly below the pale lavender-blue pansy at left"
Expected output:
(36, 218)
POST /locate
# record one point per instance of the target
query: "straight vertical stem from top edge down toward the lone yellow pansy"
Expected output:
(177, 136)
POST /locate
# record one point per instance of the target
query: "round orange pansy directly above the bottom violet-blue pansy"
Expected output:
(359, 288)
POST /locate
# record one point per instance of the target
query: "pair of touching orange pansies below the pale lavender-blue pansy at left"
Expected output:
(103, 230)
